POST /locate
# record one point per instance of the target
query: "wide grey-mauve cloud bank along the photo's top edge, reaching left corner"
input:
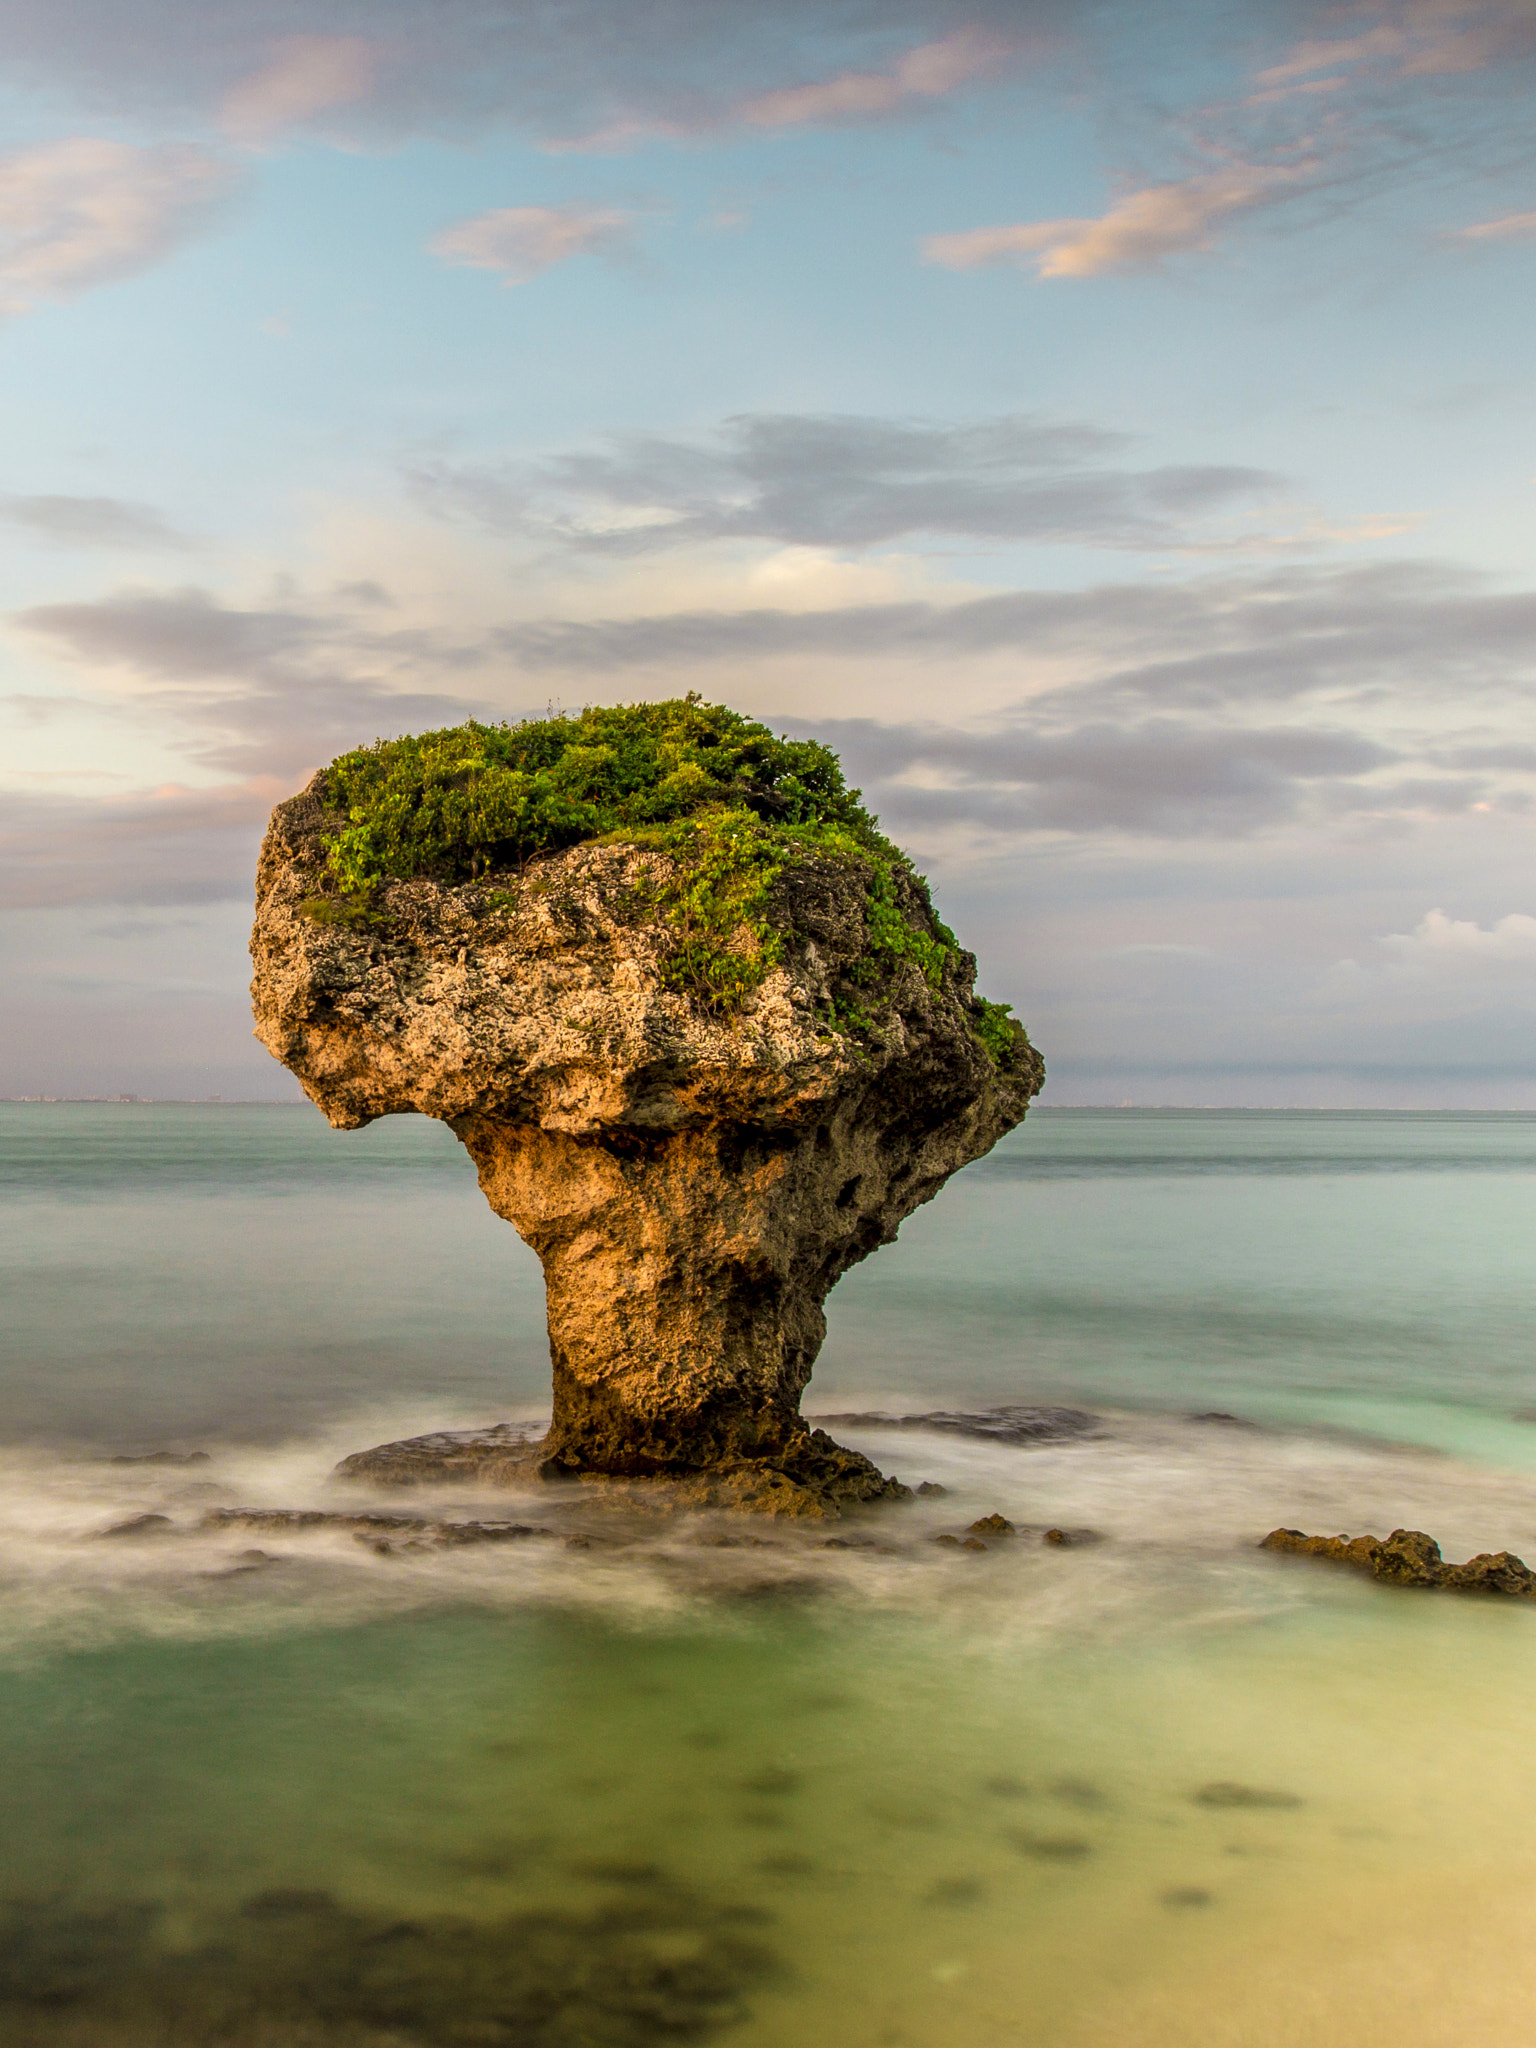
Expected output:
(398, 69)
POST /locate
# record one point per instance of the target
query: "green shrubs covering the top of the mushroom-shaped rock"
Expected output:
(722, 796)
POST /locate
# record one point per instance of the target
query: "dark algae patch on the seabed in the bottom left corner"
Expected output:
(298, 1969)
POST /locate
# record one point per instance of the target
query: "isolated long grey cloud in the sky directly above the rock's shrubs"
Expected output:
(839, 480)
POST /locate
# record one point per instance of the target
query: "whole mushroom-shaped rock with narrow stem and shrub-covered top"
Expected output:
(703, 1037)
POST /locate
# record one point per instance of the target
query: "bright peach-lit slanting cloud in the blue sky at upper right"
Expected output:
(1138, 232)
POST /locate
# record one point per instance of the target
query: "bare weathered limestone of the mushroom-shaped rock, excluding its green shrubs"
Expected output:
(691, 1187)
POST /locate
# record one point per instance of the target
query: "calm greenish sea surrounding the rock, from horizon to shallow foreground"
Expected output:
(640, 1779)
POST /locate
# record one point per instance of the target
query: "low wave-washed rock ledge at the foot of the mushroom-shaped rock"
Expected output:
(810, 1480)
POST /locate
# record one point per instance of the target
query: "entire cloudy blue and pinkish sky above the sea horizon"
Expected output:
(1109, 427)
